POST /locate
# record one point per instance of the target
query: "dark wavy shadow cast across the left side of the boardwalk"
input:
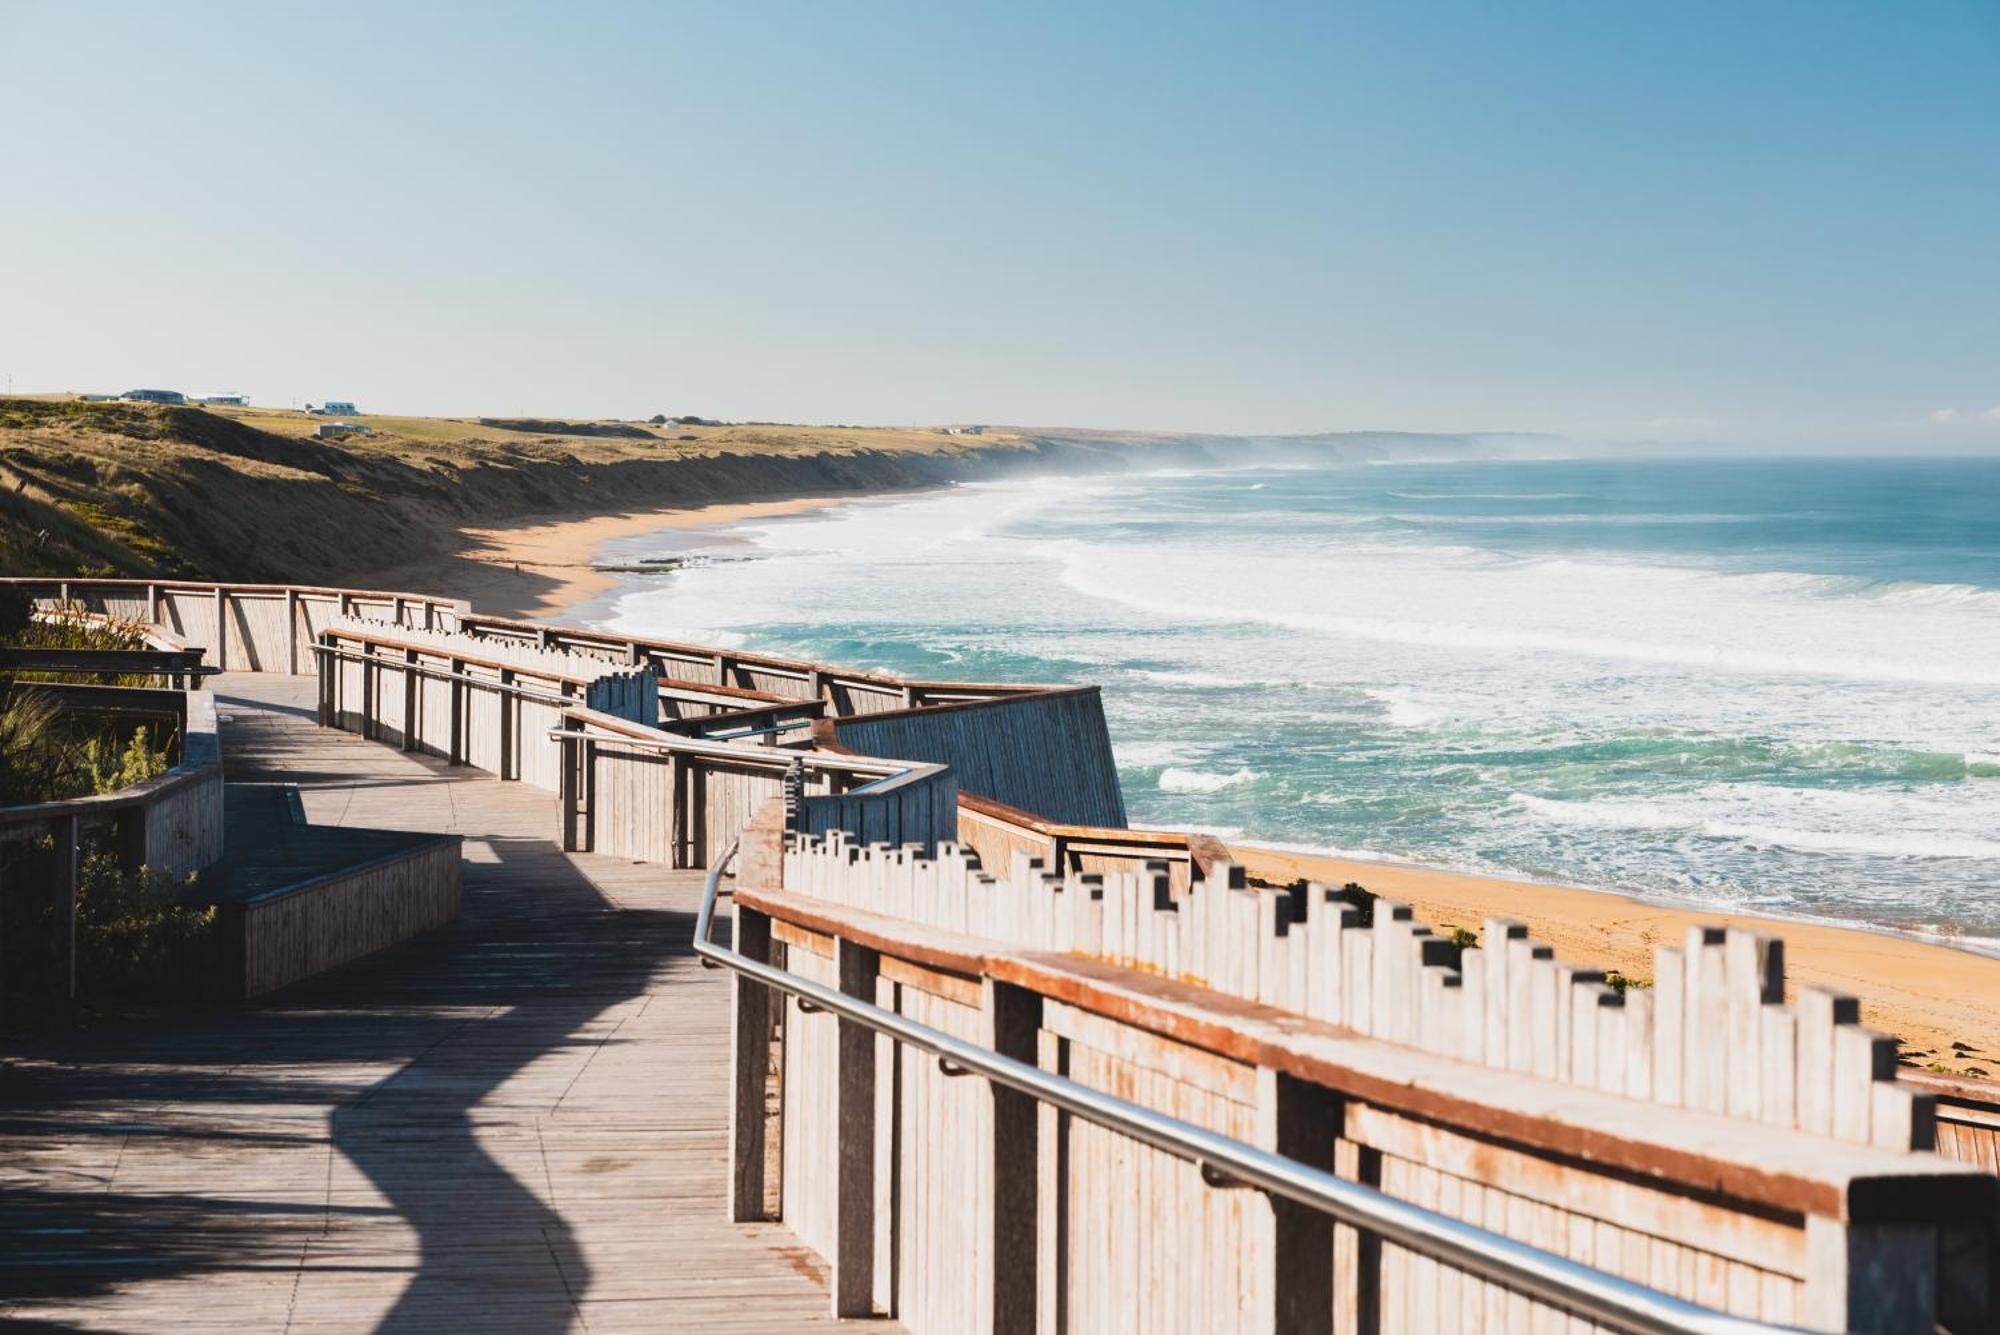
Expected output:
(195, 1144)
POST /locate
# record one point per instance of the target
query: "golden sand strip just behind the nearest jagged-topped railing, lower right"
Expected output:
(1929, 996)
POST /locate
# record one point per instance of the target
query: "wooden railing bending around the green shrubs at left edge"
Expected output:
(171, 824)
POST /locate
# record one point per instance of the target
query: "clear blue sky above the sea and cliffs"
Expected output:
(1723, 221)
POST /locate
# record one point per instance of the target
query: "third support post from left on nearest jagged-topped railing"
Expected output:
(1013, 1022)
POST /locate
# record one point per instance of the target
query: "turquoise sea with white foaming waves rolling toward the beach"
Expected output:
(1767, 684)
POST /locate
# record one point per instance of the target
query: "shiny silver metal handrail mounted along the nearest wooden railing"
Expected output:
(1517, 1266)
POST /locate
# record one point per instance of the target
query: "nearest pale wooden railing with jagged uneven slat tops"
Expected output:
(1771, 1182)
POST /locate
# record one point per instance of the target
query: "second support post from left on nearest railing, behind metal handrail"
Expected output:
(855, 1192)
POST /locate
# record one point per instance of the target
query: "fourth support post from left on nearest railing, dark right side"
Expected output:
(1297, 1262)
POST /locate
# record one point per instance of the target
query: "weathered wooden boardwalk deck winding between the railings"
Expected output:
(515, 1124)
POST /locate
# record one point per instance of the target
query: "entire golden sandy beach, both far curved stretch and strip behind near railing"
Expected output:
(1941, 1002)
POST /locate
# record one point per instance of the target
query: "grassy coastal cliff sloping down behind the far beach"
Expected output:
(251, 495)
